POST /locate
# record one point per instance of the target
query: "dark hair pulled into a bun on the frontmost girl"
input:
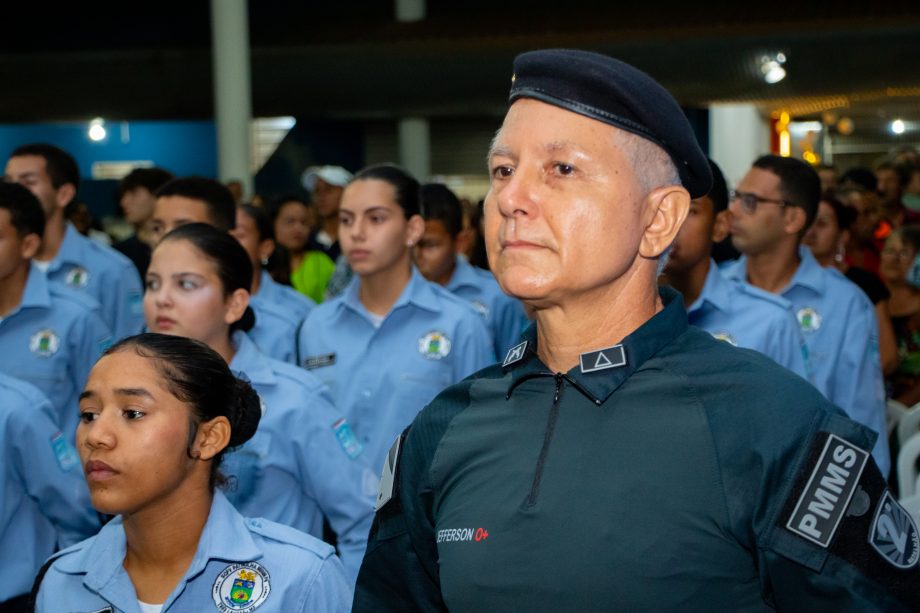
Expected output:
(198, 376)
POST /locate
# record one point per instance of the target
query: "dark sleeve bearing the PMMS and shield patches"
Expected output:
(840, 541)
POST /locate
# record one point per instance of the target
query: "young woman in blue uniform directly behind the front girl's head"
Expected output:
(303, 463)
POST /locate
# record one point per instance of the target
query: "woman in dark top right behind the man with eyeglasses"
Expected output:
(827, 238)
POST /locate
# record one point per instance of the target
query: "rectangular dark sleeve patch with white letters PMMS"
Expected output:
(828, 491)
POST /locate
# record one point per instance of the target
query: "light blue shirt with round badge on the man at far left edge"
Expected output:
(52, 339)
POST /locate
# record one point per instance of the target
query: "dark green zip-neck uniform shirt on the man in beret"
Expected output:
(672, 472)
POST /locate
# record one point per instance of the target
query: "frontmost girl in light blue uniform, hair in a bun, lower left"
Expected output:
(156, 417)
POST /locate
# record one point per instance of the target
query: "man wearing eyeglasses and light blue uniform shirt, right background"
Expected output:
(771, 209)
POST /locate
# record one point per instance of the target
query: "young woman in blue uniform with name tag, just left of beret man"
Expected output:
(392, 340)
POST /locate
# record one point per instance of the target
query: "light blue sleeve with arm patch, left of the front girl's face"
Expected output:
(48, 467)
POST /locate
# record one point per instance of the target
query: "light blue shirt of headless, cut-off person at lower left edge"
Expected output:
(45, 502)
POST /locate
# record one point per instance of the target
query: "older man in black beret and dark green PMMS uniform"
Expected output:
(619, 459)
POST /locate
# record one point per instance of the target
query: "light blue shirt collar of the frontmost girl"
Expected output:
(225, 537)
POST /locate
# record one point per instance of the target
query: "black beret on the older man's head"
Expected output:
(611, 91)
